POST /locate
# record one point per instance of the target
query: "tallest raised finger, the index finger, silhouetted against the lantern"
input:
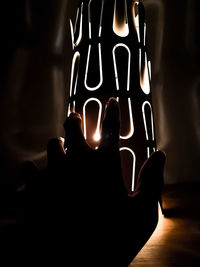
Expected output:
(110, 125)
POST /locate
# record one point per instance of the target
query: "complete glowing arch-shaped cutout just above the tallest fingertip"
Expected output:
(123, 46)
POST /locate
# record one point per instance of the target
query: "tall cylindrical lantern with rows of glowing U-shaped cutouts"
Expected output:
(110, 60)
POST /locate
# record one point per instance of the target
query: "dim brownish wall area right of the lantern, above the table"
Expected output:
(175, 85)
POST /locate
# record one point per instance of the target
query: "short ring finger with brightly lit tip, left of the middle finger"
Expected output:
(55, 151)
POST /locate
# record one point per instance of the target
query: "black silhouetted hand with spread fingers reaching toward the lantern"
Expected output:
(87, 186)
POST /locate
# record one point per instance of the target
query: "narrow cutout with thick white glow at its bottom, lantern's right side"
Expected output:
(144, 73)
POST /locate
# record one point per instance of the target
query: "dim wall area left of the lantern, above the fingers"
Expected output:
(33, 94)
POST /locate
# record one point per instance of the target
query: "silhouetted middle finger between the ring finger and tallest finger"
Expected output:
(74, 139)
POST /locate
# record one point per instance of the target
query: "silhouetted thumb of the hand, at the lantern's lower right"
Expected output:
(150, 178)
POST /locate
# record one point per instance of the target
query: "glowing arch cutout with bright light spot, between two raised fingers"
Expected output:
(96, 135)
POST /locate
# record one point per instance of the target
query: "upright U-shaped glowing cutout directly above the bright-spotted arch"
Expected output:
(100, 69)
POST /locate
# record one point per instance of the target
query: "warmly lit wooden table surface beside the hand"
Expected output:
(176, 240)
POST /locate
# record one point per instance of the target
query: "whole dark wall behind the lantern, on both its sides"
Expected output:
(35, 73)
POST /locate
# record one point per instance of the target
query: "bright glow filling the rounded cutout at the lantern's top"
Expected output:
(120, 25)
